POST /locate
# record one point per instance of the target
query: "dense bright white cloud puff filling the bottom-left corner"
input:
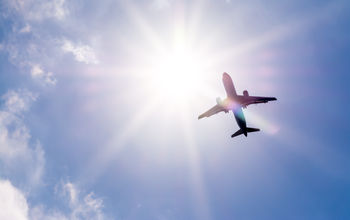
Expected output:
(13, 204)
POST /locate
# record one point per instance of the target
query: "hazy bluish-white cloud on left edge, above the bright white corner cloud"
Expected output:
(17, 156)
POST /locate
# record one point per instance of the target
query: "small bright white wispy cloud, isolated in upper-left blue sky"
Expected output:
(82, 53)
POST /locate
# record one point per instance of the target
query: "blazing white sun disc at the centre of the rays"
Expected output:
(176, 73)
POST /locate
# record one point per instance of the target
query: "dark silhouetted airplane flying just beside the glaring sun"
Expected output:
(235, 103)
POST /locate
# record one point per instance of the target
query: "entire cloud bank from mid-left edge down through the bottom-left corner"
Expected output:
(19, 159)
